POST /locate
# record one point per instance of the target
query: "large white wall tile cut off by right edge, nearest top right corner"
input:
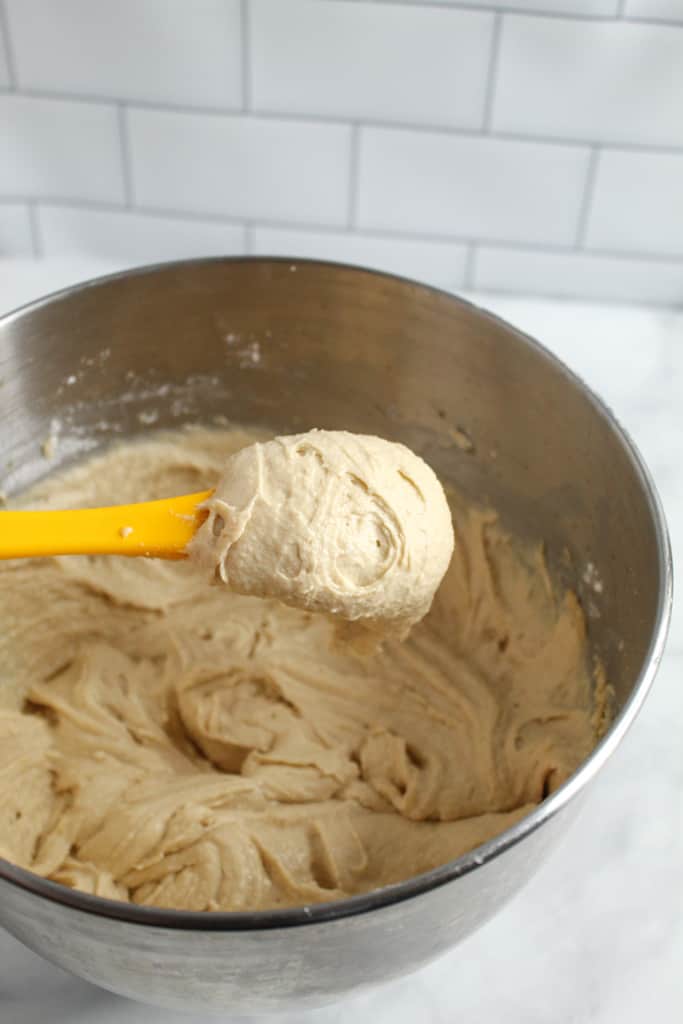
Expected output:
(612, 82)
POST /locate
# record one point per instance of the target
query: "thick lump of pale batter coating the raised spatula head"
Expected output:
(349, 525)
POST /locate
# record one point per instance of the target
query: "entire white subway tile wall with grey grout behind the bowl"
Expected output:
(548, 135)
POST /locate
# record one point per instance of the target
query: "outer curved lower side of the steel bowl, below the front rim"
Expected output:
(275, 969)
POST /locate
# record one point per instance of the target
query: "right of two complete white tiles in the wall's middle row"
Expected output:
(471, 187)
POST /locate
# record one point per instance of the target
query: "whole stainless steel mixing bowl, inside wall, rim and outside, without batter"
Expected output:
(293, 346)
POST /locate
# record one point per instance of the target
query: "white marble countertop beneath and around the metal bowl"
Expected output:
(597, 936)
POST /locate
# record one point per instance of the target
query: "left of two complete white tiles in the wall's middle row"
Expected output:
(243, 167)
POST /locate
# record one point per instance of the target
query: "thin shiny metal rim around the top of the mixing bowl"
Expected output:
(240, 921)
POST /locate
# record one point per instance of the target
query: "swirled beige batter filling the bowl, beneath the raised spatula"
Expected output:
(177, 745)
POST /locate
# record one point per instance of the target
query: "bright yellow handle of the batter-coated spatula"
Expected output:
(154, 530)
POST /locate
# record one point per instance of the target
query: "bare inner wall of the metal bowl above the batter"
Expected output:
(294, 346)
